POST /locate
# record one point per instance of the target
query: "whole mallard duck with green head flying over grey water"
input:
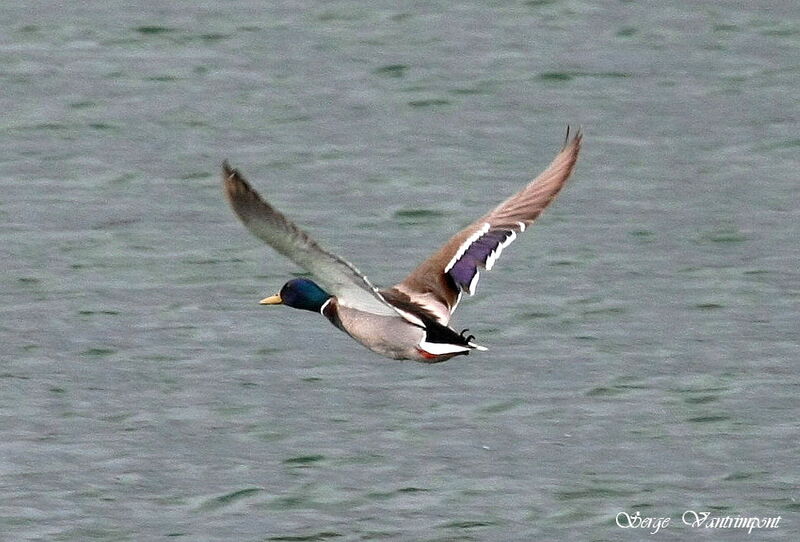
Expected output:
(410, 319)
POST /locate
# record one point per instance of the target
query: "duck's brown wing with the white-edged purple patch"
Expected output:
(437, 284)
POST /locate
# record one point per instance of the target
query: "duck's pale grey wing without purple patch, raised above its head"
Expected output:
(336, 275)
